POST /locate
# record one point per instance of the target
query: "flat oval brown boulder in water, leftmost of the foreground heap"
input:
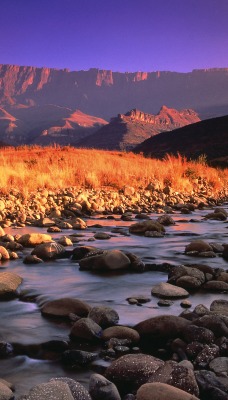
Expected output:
(63, 307)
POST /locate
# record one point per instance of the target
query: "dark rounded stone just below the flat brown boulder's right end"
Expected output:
(86, 328)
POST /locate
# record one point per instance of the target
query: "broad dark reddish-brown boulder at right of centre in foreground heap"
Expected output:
(161, 327)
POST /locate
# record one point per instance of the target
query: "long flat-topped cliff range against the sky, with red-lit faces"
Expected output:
(106, 93)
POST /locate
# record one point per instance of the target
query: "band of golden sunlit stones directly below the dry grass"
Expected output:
(18, 208)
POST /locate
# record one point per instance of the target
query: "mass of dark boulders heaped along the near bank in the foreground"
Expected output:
(175, 357)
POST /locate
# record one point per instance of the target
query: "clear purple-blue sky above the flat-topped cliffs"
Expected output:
(121, 35)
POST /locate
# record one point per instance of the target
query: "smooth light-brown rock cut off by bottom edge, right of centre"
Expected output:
(162, 391)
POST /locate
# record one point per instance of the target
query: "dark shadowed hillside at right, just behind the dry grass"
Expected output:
(209, 137)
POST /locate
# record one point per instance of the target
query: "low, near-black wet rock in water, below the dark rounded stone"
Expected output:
(72, 358)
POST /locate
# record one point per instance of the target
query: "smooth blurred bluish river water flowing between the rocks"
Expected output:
(22, 323)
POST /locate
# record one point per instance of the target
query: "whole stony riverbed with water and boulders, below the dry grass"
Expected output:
(118, 294)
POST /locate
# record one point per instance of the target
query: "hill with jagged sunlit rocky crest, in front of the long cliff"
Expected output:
(127, 130)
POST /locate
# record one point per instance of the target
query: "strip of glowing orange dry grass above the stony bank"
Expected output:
(29, 168)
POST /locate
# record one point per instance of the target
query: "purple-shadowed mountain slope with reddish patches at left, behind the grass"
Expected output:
(45, 124)
